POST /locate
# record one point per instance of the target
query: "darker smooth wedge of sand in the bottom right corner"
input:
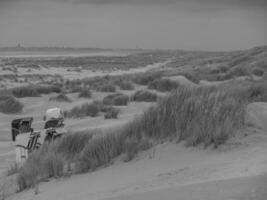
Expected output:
(251, 187)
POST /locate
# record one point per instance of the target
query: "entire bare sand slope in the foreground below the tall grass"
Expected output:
(172, 171)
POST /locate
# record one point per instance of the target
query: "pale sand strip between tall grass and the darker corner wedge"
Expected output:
(167, 165)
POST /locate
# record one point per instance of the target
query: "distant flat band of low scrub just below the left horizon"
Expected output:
(104, 63)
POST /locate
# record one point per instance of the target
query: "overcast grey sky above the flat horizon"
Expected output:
(212, 25)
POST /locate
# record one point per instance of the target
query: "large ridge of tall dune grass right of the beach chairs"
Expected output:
(198, 115)
